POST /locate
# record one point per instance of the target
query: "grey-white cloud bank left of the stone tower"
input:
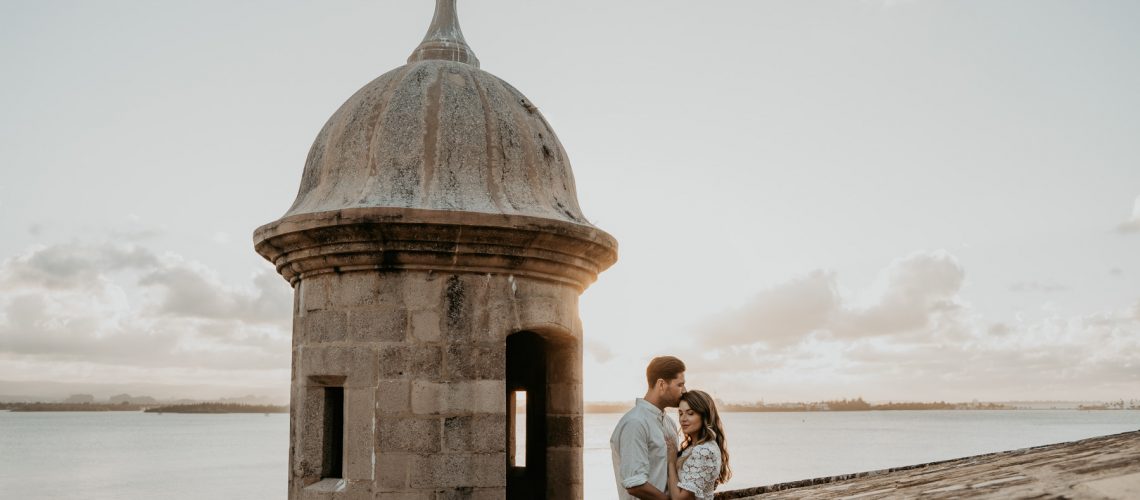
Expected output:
(124, 306)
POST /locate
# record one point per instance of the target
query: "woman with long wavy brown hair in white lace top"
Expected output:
(704, 461)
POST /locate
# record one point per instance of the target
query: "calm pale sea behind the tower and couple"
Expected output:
(145, 456)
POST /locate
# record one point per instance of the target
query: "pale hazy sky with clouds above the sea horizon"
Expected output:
(894, 200)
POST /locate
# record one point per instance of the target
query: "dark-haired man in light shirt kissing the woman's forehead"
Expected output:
(639, 444)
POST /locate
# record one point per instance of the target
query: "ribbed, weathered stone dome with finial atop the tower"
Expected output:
(439, 134)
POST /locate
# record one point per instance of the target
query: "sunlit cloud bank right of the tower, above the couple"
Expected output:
(911, 335)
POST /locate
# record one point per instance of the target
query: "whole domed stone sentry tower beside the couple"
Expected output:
(437, 253)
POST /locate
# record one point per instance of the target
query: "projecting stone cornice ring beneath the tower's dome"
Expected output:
(388, 239)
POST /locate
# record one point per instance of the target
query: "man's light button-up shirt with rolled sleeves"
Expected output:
(639, 450)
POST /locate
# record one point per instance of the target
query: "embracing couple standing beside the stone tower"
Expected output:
(647, 462)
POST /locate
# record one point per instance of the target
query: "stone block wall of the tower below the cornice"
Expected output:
(421, 358)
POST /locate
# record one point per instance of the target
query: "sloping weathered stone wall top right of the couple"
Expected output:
(1106, 468)
